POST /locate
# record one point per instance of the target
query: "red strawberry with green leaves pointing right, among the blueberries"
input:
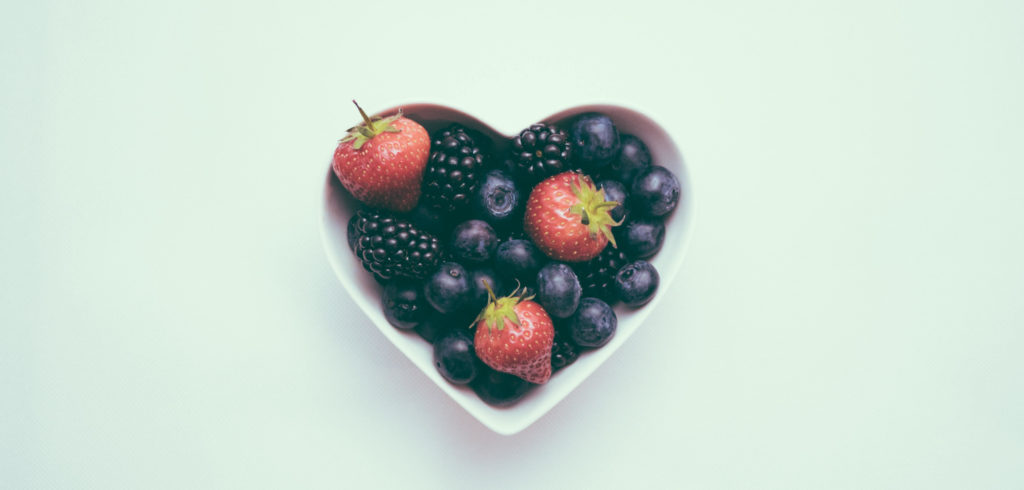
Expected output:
(569, 218)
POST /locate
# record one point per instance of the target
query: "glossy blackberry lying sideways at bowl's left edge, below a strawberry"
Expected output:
(390, 247)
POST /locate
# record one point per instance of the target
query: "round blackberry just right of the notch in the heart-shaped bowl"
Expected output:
(541, 152)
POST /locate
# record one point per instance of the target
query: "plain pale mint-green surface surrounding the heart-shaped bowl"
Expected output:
(850, 315)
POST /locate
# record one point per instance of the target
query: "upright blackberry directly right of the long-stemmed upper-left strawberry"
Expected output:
(453, 171)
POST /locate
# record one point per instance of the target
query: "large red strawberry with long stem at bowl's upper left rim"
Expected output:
(381, 161)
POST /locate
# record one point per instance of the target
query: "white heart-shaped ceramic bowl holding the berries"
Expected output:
(339, 206)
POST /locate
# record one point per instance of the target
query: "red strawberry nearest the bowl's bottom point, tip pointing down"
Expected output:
(515, 335)
